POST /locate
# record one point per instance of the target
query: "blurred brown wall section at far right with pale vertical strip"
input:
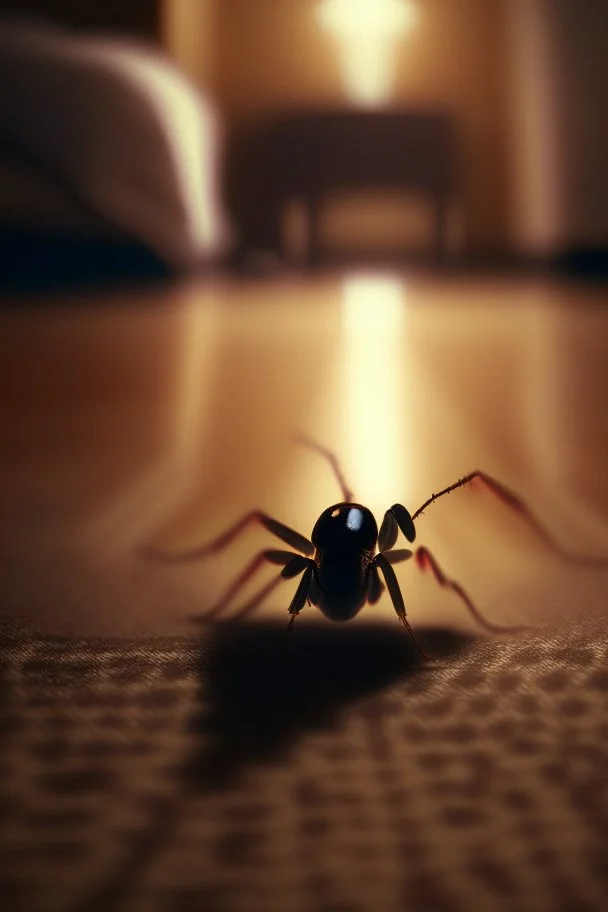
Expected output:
(558, 78)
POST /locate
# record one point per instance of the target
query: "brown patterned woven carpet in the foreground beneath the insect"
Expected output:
(238, 773)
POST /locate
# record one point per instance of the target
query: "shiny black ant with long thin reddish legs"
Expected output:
(339, 566)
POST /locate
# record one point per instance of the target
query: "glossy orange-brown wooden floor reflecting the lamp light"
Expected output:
(161, 415)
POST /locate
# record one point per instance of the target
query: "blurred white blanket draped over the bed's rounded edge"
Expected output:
(120, 129)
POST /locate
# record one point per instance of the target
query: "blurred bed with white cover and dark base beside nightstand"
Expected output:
(106, 149)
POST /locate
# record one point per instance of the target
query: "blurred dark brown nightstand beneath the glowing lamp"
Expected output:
(312, 155)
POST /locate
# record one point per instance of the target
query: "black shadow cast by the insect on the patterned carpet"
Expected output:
(261, 690)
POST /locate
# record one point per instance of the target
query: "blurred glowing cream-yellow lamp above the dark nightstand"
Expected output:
(367, 32)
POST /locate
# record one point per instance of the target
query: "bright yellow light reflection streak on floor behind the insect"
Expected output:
(374, 314)
